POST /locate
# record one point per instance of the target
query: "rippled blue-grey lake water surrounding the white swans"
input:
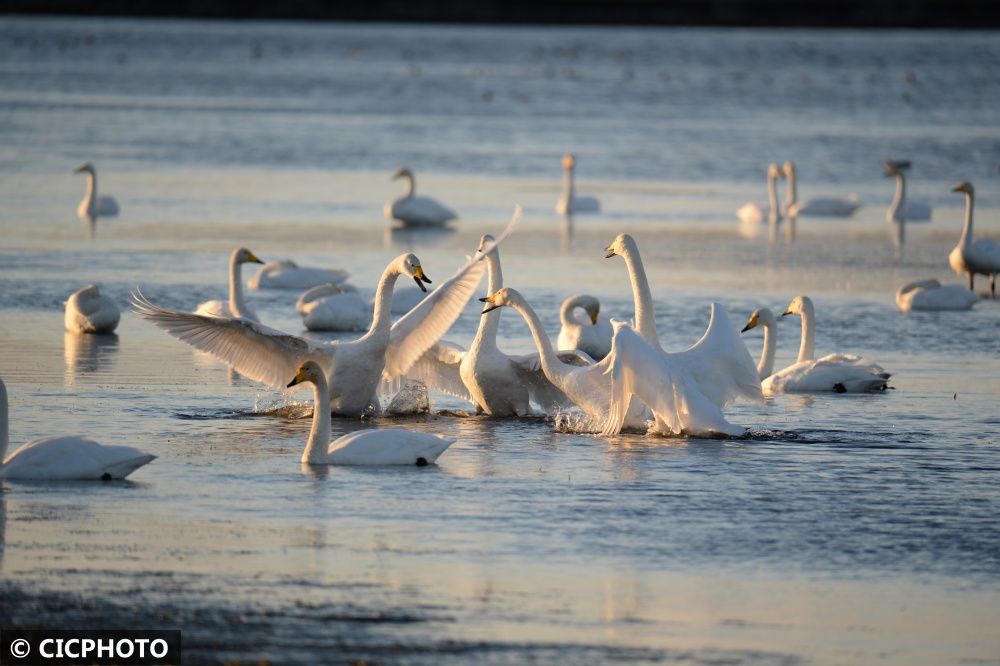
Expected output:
(846, 529)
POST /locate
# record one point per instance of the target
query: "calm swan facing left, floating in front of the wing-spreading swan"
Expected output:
(388, 446)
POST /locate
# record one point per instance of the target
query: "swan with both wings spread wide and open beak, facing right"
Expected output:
(354, 367)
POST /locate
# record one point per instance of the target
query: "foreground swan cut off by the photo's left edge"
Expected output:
(69, 457)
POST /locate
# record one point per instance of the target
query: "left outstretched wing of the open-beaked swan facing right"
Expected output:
(256, 351)
